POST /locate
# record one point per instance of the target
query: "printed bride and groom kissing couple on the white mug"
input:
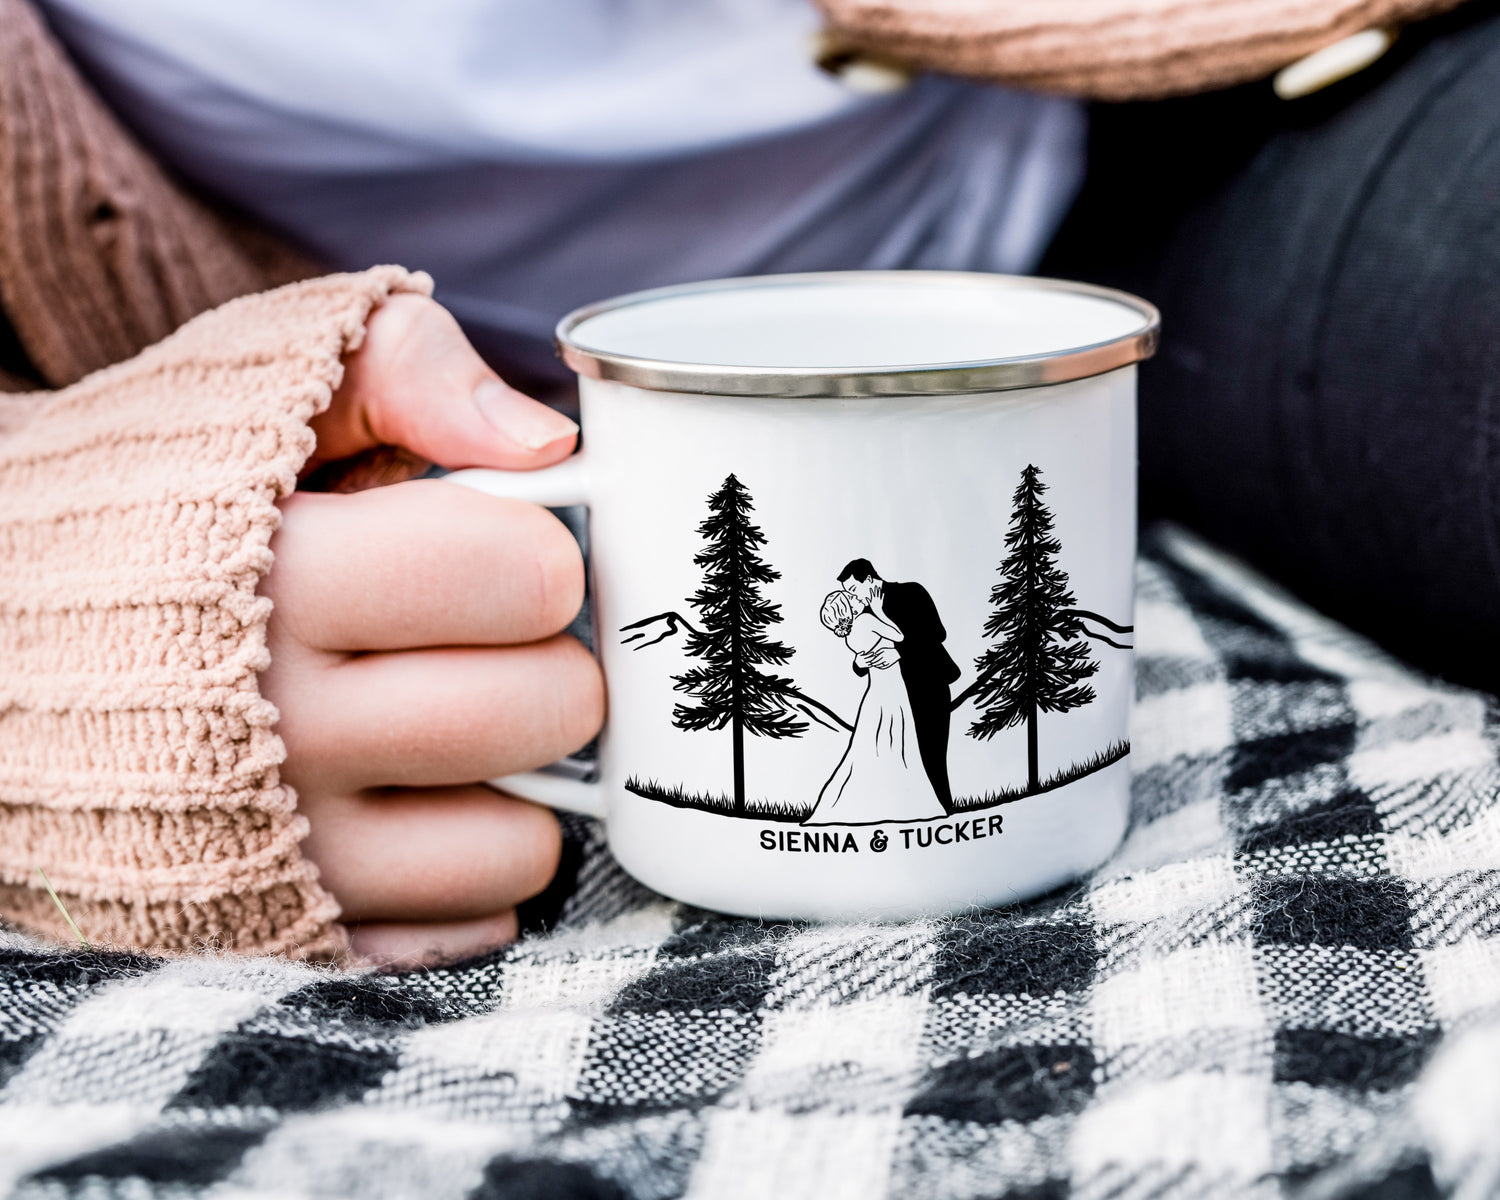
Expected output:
(896, 763)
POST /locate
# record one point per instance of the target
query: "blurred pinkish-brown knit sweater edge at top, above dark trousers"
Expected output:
(1114, 50)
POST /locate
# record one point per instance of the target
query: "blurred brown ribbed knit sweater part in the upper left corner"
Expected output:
(101, 253)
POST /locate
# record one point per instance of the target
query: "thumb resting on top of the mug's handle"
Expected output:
(418, 383)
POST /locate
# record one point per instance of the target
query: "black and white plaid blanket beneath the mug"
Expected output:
(1286, 983)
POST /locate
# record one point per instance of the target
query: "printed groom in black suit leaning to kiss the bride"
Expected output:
(926, 668)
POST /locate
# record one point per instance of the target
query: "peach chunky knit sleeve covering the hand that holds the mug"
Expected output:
(139, 761)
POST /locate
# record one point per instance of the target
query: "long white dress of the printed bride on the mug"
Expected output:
(881, 773)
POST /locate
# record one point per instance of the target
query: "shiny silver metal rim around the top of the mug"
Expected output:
(919, 380)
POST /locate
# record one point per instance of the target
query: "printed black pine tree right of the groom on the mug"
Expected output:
(1043, 661)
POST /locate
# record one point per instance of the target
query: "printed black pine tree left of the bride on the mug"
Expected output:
(731, 688)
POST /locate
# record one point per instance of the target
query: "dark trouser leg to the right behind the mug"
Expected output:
(1327, 400)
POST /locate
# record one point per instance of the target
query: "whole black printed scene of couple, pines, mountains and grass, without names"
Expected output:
(895, 761)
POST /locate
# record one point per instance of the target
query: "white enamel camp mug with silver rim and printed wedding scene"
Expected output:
(862, 557)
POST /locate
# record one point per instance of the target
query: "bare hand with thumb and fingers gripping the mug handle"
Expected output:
(416, 649)
